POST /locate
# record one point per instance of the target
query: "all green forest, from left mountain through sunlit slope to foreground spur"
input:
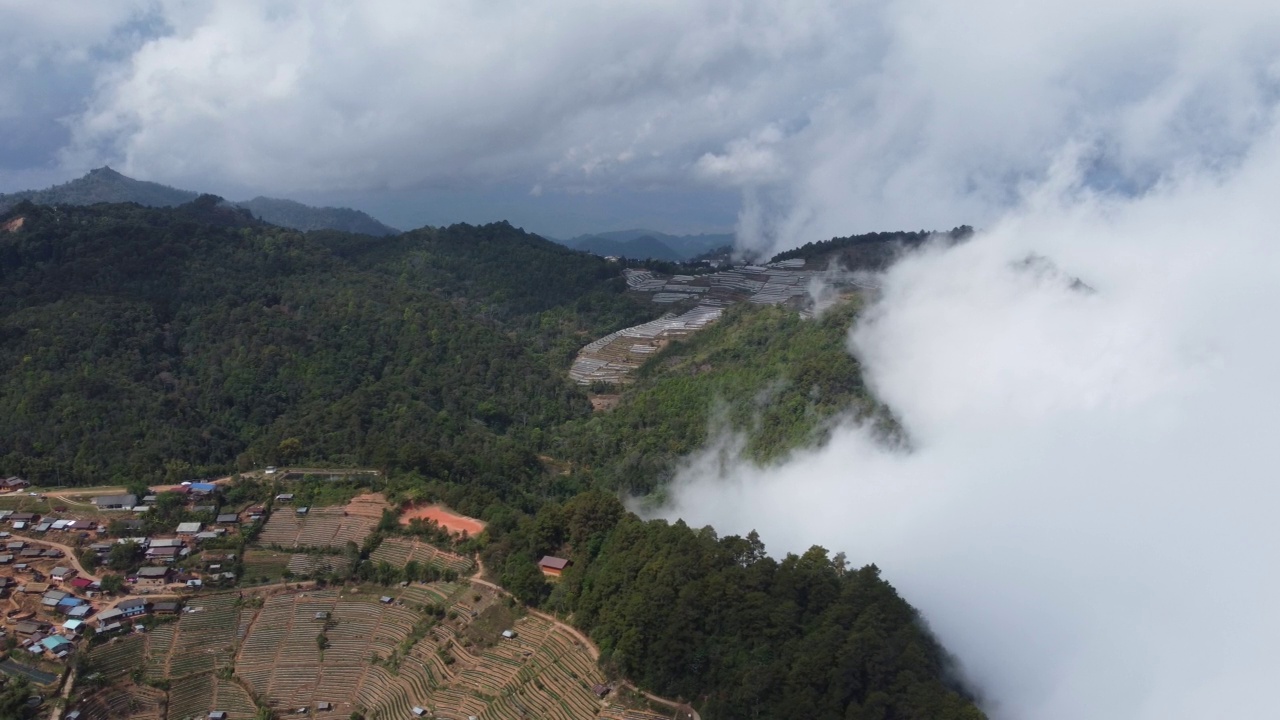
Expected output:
(166, 344)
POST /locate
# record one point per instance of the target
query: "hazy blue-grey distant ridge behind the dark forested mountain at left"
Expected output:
(104, 185)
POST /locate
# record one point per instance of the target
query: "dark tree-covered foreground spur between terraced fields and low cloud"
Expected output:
(717, 621)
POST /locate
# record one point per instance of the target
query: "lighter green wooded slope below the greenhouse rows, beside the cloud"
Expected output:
(761, 371)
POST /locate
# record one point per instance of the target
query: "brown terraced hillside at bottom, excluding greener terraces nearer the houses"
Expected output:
(386, 658)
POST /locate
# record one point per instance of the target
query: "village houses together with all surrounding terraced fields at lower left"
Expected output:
(184, 604)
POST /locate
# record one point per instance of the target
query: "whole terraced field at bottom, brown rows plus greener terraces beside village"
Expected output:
(381, 659)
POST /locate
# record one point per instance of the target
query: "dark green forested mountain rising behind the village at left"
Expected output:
(159, 344)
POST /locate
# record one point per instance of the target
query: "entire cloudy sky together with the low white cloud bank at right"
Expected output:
(1086, 514)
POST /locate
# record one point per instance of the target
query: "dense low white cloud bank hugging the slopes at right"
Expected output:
(1087, 513)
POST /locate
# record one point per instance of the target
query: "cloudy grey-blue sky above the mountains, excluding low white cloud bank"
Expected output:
(785, 122)
